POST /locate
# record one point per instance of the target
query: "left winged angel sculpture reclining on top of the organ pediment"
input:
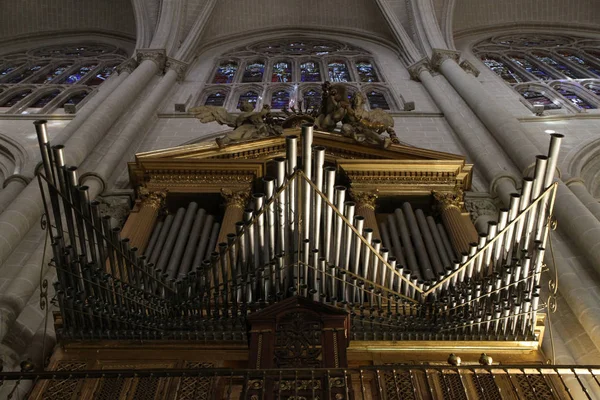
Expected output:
(247, 125)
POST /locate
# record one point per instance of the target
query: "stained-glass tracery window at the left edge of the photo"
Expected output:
(28, 76)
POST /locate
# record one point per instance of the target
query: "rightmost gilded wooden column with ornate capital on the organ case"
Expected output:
(459, 227)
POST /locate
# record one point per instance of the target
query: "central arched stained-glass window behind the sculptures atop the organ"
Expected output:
(255, 73)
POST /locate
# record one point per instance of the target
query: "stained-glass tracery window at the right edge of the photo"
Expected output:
(568, 67)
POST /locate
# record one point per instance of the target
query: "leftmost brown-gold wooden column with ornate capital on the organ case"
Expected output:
(142, 219)
